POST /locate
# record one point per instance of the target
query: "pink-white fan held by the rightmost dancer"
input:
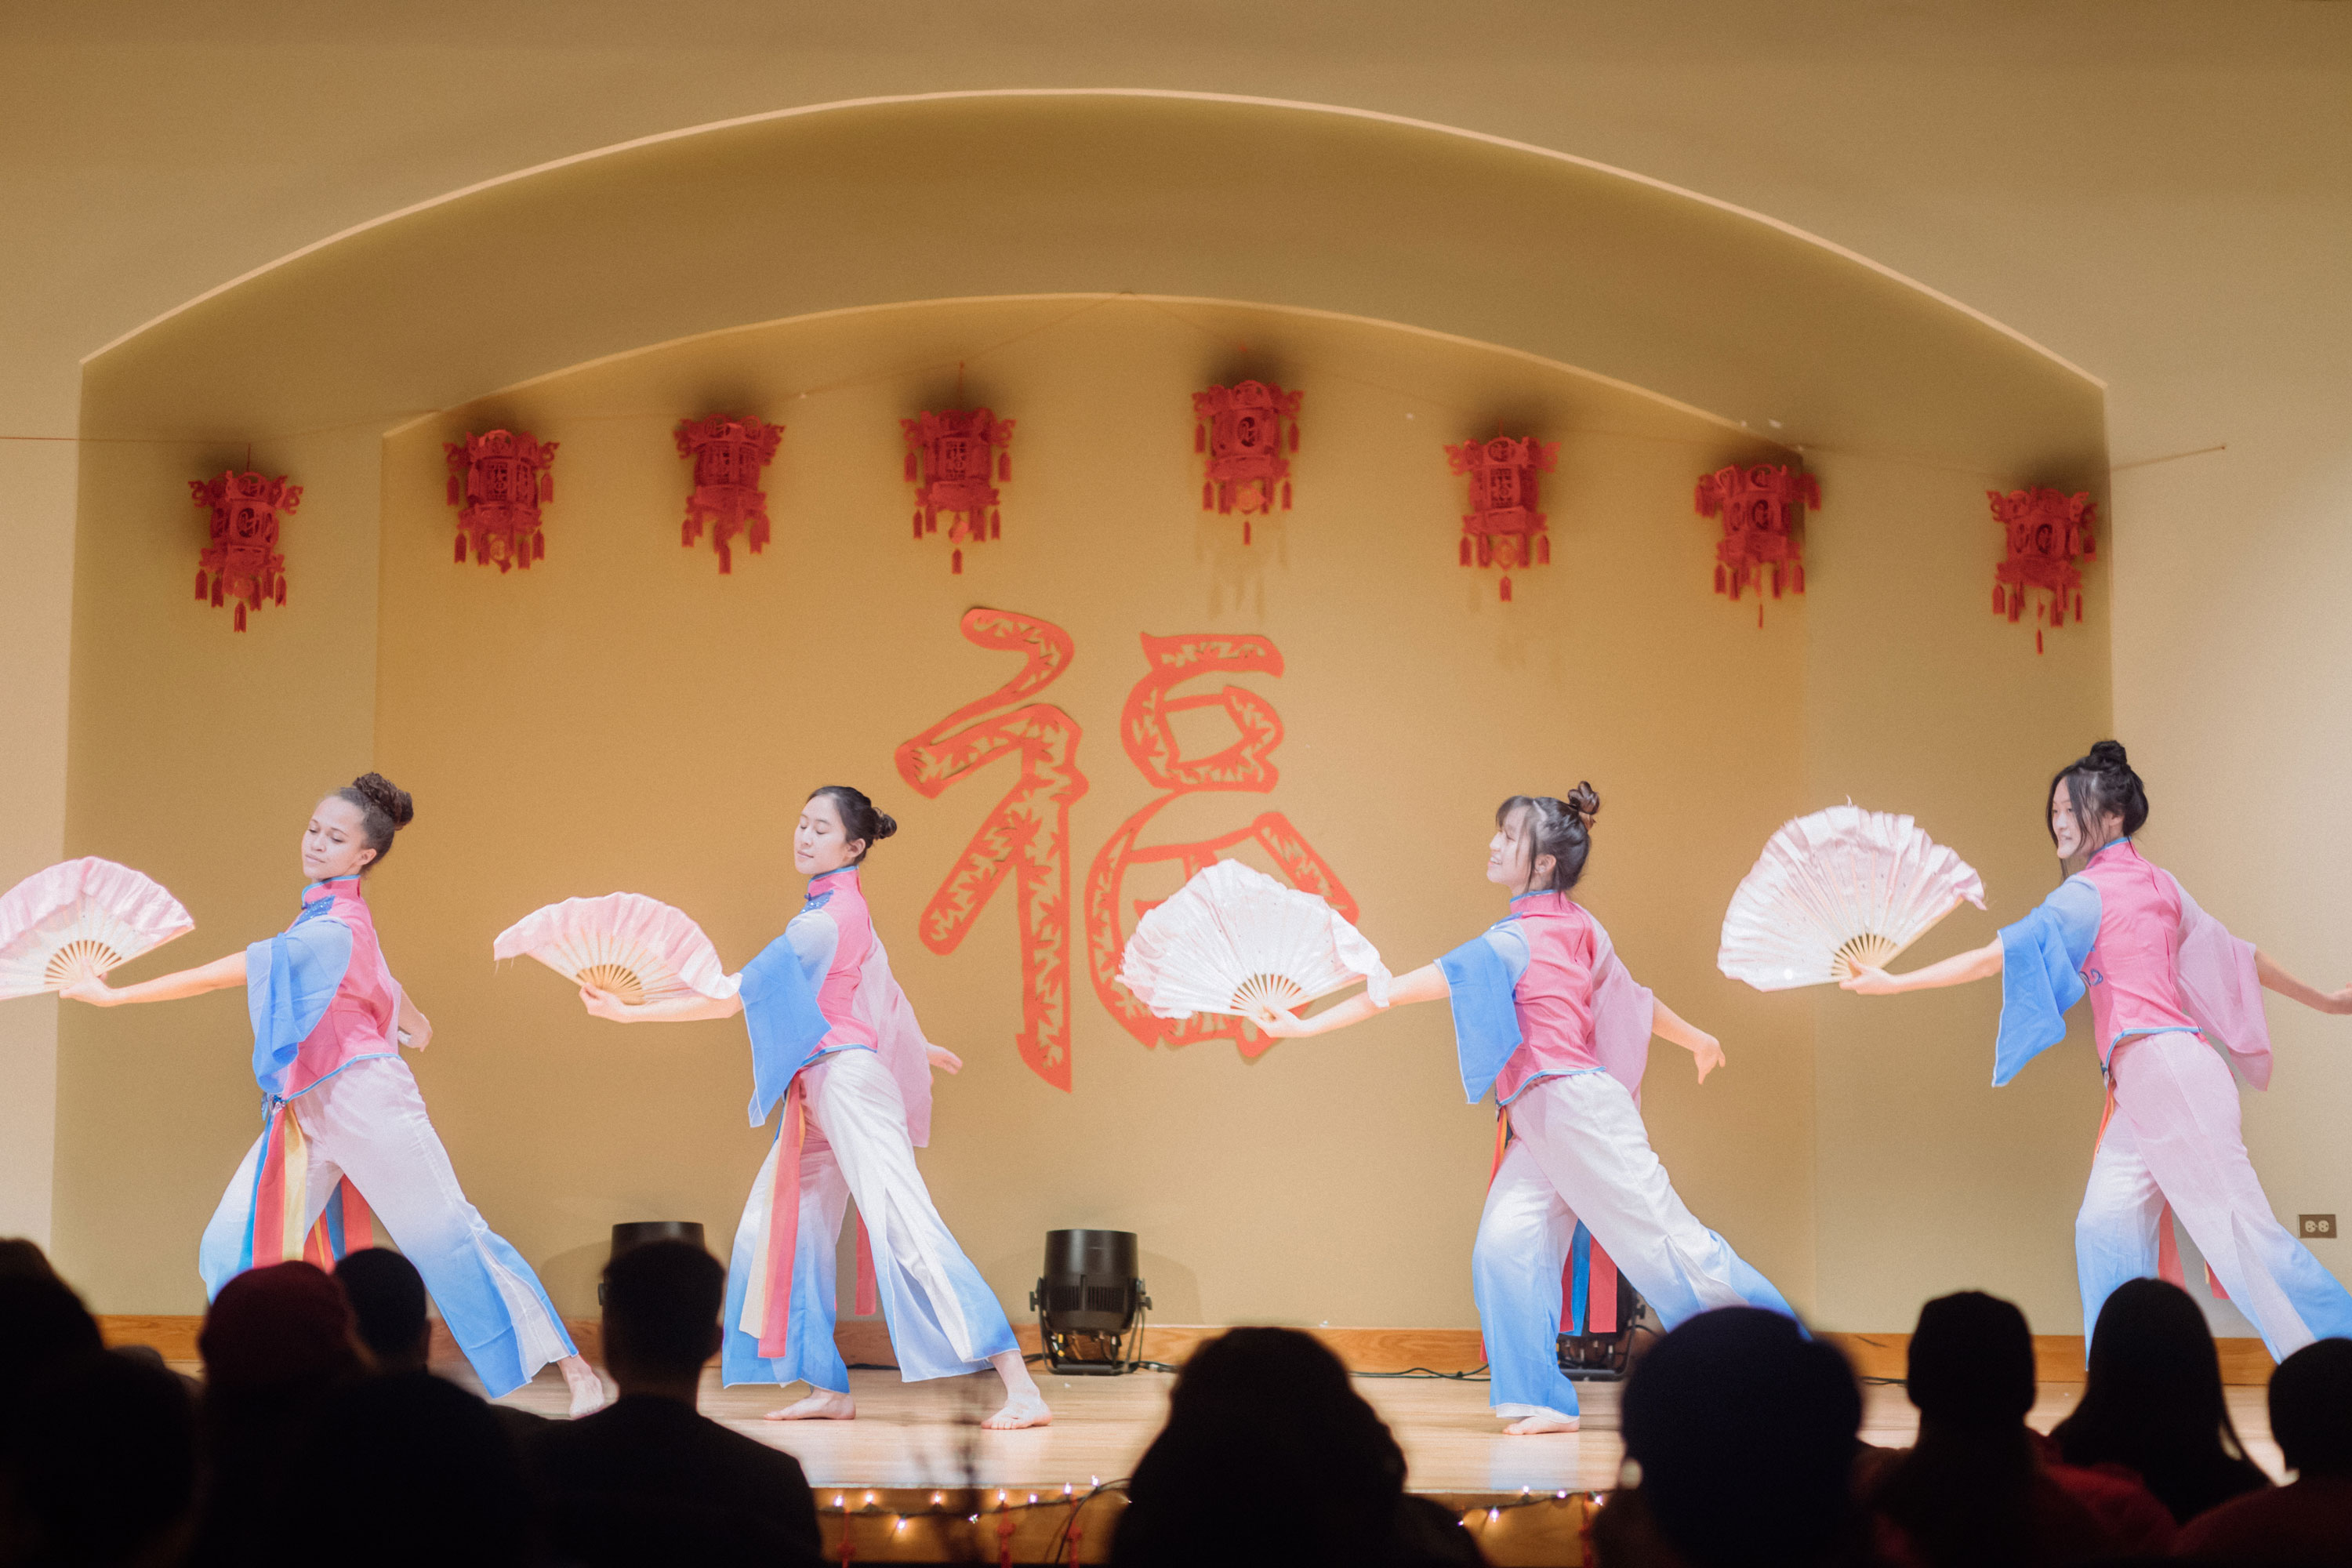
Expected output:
(1836, 892)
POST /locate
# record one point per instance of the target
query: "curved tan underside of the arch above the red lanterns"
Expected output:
(1104, 192)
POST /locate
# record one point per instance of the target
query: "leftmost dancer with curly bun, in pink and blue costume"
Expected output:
(345, 1127)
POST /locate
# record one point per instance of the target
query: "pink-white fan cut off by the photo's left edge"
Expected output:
(79, 920)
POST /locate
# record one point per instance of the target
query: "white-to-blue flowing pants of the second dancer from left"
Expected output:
(942, 1315)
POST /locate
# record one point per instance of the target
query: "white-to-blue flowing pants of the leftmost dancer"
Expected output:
(370, 1123)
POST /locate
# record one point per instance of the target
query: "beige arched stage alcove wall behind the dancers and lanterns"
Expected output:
(519, 706)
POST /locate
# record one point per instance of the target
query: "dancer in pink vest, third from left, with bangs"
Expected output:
(1549, 1019)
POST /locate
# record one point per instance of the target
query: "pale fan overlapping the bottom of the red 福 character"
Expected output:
(1234, 939)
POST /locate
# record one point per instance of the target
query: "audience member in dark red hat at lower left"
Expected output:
(276, 1348)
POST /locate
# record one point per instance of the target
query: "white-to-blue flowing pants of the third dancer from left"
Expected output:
(1579, 1153)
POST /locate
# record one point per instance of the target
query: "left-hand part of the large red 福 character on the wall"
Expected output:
(1029, 829)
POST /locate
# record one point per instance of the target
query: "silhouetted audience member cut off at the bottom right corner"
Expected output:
(2311, 1522)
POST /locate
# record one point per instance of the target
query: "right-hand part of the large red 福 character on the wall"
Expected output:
(1149, 735)
